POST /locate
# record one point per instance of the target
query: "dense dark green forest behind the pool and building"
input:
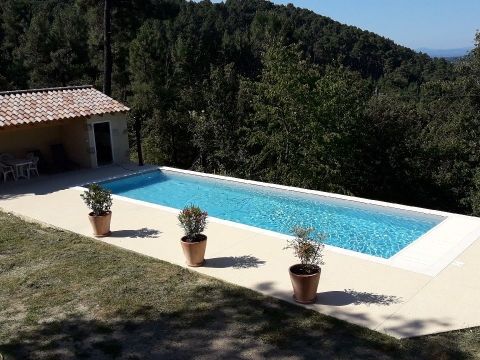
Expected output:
(265, 92)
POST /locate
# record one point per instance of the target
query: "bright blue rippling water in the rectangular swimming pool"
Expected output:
(368, 229)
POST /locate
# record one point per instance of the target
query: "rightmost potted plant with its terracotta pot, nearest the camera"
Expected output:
(306, 275)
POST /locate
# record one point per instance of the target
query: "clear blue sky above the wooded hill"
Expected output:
(438, 24)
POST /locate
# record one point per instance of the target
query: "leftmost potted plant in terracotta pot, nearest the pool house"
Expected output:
(99, 200)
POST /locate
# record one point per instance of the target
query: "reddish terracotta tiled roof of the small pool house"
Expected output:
(43, 105)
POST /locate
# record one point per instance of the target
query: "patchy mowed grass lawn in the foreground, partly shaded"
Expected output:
(66, 296)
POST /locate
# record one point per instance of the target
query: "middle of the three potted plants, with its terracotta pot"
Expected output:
(193, 221)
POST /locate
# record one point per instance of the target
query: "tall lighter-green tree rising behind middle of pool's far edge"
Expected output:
(282, 103)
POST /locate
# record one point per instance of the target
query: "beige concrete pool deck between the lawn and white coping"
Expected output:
(376, 295)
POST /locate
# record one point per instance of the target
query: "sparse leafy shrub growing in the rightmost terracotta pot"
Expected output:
(307, 249)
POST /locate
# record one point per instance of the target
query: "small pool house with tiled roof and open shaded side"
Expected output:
(85, 125)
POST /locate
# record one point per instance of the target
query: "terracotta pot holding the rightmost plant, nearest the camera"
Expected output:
(304, 286)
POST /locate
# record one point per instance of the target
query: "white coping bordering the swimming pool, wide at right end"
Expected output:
(428, 255)
